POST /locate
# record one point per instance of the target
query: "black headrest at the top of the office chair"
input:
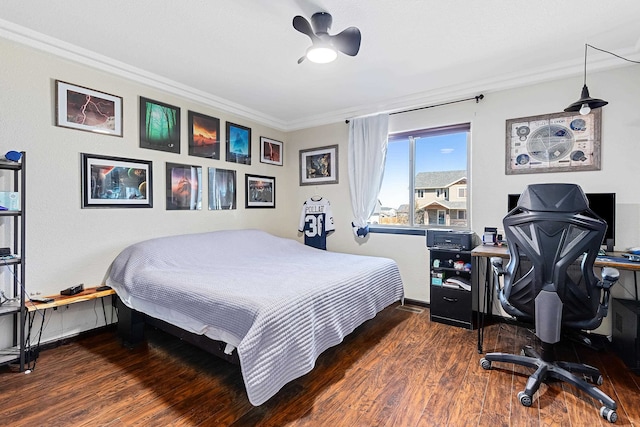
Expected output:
(553, 198)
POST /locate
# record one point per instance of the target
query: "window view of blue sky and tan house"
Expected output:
(425, 179)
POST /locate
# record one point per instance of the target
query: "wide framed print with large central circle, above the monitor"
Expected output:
(559, 142)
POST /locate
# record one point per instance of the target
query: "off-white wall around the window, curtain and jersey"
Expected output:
(489, 184)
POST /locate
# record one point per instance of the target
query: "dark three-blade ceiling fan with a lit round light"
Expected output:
(325, 47)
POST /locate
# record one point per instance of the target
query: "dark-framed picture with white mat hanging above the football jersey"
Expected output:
(319, 165)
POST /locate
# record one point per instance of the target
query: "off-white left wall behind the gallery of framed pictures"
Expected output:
(67, 245)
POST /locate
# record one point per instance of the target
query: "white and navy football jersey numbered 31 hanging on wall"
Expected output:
(316, 220)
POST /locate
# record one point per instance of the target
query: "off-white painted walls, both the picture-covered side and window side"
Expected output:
(67, 245)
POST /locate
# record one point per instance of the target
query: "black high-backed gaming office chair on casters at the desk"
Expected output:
(551, 228)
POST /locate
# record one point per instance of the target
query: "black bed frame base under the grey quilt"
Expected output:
(131, 325)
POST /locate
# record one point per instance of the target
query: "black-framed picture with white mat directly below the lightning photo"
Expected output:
(114, 182)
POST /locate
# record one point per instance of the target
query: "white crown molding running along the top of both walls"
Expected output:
(597, 61)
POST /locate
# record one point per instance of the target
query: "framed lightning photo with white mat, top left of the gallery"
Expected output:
(86, 109)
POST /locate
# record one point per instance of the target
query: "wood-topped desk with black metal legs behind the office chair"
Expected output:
(613, 259)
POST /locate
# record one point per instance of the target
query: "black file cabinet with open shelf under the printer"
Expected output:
(450, 287)
